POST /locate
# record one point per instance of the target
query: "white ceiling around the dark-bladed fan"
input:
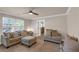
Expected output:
(42, 11)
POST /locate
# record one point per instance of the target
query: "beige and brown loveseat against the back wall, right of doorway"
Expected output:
(53, 36)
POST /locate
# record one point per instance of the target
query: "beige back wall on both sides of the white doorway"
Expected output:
(58, 23)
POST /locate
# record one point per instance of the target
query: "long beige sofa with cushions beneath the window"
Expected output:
(12, 38)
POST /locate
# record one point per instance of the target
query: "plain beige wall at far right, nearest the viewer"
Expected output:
(73, 22)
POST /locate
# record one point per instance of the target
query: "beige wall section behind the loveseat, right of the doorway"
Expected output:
(57, 23)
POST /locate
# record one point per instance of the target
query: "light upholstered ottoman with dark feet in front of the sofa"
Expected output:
(28, 40)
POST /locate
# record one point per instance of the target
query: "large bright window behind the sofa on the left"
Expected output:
(12, 24)
